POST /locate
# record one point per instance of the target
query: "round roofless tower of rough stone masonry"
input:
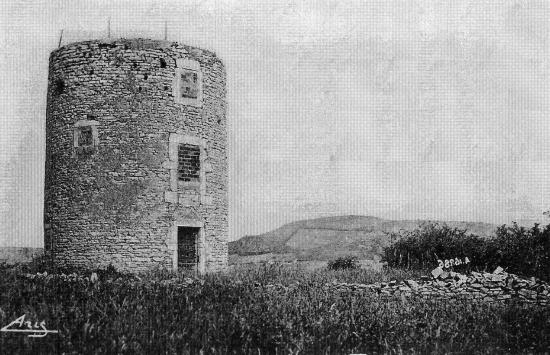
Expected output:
(136, 162)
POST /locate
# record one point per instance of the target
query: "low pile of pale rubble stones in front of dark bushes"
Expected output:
(498, 286)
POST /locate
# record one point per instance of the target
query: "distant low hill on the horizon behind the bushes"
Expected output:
(330, 237)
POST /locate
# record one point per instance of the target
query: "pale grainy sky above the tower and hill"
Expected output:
(398, 109)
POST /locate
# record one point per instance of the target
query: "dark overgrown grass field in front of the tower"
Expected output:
(164, 313)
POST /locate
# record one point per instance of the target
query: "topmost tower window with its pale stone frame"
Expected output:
(188, 82)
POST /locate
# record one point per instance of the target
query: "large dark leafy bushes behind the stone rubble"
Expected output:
(520, 250)
